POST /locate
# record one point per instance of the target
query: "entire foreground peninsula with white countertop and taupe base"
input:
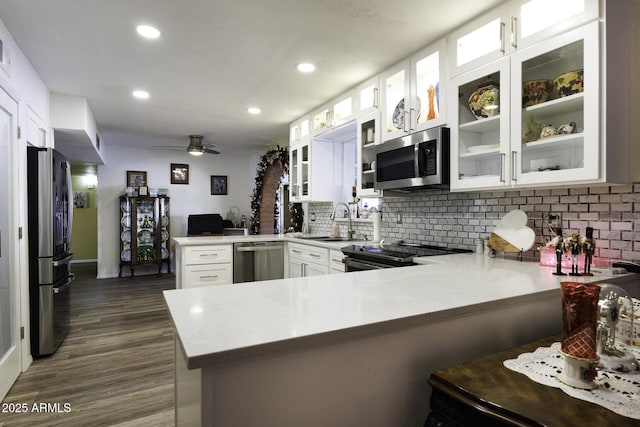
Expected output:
(353, 348)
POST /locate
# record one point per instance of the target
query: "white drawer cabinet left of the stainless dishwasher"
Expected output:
(203, 265)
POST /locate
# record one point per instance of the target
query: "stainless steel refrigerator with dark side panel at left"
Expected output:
(50, 213)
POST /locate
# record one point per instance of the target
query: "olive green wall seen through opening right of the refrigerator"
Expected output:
(84, 234)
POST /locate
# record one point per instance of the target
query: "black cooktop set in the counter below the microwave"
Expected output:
(399, 253)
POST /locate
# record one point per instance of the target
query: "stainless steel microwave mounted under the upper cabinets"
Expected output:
(417, 160)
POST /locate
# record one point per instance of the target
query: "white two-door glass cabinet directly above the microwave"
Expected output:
(414, 93)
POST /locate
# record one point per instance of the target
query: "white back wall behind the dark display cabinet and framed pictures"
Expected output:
(185, 199)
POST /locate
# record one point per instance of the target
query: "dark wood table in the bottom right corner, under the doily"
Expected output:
(482, 392)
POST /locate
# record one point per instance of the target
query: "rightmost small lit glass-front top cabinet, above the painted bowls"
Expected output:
(535, 20)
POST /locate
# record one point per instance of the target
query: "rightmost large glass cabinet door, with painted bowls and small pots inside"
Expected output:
(555, 99)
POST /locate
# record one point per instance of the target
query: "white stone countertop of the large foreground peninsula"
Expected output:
(227, 322)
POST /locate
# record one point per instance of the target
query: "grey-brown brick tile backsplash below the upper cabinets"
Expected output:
(436, 216)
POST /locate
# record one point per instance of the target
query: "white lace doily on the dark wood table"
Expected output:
(617, 392)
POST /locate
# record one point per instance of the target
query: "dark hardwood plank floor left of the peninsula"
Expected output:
(115, 368)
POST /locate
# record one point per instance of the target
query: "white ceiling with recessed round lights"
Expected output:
(216, 58)
